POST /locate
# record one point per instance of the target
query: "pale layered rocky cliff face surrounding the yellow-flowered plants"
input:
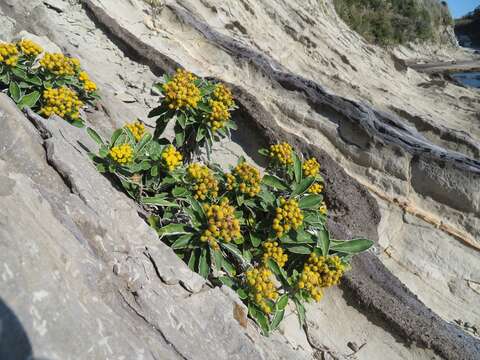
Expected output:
(87, 278)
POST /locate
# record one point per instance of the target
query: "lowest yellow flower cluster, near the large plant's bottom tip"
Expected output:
(262, 287)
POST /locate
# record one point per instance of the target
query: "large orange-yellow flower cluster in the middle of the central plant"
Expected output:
(222, 224)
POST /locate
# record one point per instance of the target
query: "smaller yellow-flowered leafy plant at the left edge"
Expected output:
(49, 83)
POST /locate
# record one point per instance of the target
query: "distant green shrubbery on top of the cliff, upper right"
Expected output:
(388, 22)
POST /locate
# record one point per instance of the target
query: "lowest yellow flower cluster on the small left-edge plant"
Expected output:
(63, 102)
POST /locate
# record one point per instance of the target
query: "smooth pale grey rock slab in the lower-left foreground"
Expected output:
(84, 277)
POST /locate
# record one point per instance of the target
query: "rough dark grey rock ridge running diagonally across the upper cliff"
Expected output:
(387, 128)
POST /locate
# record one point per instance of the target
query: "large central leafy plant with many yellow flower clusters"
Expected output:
(263, 234)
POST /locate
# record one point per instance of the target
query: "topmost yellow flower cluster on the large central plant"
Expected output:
(181, 91)
